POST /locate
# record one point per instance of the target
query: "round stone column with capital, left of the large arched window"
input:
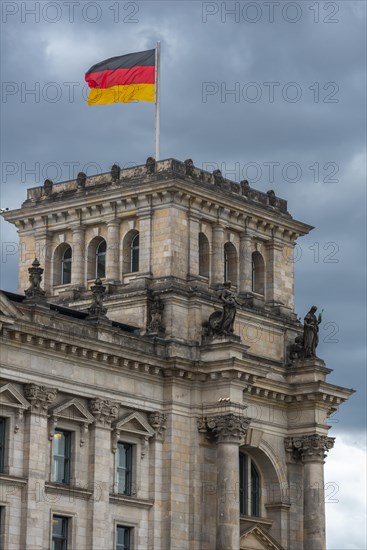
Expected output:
(229, 431)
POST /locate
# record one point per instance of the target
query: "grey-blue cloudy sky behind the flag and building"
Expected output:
(273, 92)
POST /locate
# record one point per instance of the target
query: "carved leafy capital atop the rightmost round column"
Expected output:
(308, 448)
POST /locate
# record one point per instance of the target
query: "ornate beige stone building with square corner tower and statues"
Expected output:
(145, 404)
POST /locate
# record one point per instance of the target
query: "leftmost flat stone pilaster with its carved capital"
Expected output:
(36, 451)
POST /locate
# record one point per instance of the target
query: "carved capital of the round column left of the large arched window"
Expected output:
(227, 428)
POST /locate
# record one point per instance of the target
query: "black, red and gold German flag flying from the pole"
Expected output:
(123, 79)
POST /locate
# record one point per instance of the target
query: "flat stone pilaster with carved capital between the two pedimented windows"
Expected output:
(100, 459)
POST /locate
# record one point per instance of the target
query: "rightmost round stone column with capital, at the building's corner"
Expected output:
(312, 450)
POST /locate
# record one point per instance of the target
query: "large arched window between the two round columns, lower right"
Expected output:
(249, 487)
